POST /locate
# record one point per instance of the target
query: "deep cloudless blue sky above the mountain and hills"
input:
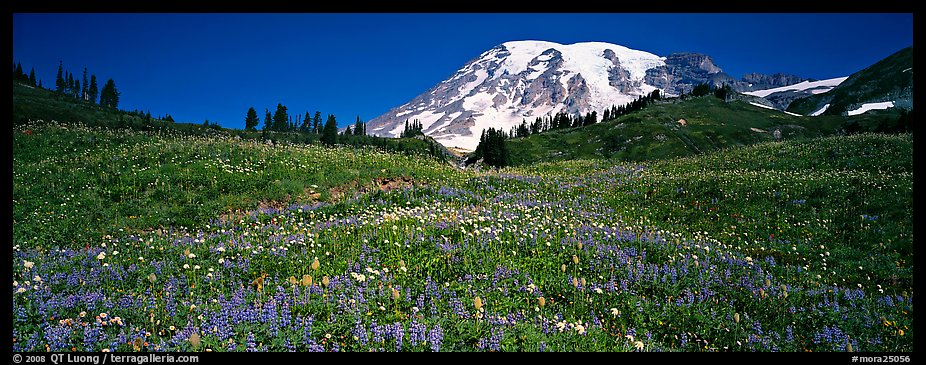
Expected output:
(214, 66)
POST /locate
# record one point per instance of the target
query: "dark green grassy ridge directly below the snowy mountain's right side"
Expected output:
(655, 132)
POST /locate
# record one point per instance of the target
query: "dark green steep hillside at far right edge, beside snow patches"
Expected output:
(891, 79)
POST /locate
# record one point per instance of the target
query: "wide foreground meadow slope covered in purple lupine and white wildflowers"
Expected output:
(793, 246)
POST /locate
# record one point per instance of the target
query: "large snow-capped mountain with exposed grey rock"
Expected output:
(523, 80)
